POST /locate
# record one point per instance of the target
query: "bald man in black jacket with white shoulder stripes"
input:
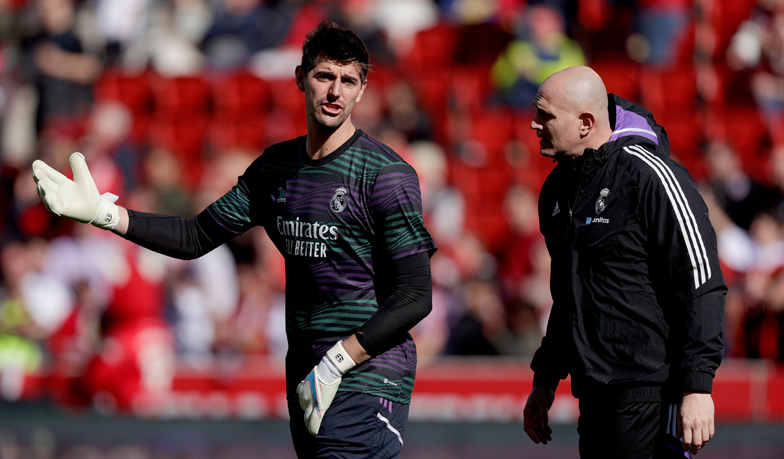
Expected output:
(638, 296)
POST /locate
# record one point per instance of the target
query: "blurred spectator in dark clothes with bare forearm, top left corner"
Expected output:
(55, 63)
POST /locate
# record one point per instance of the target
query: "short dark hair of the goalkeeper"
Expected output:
(336, 43)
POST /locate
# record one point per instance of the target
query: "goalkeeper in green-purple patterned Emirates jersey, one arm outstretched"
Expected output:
(345, 211)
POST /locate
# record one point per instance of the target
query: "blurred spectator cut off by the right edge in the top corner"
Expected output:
(759, 45)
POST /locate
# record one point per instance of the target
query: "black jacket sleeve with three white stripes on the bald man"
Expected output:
(686, 268)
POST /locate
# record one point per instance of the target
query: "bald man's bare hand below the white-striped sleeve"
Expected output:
(695, 421)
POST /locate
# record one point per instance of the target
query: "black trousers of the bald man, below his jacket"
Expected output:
(629, 430)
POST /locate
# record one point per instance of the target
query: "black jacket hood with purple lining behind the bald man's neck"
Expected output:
(633, 124)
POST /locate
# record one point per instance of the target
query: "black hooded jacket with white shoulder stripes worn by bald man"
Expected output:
(638, 295)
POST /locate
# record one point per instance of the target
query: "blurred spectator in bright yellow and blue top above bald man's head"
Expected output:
(541, 48)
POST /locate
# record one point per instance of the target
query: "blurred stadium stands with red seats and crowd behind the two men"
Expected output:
(108, 351)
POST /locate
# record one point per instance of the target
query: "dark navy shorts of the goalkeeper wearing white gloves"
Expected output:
(355, 426)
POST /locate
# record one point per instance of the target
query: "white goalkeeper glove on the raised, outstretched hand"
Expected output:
(77, 199)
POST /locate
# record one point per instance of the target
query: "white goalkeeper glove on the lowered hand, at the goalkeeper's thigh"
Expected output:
(318, 389)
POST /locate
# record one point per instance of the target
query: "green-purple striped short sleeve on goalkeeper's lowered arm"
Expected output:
(396, 208)
